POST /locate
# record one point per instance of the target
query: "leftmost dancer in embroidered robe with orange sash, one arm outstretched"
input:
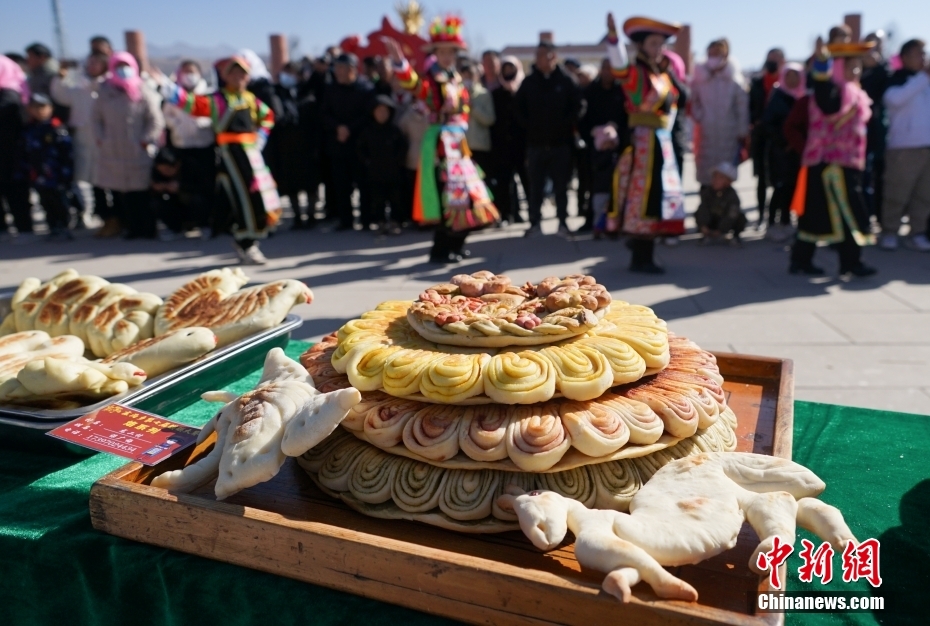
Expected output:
(246, 194)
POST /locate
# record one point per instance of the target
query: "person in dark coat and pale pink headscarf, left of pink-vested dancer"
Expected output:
(783, 161)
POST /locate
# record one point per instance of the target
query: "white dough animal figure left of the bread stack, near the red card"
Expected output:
(284, 415)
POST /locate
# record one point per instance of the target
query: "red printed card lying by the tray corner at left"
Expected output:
(130, 433)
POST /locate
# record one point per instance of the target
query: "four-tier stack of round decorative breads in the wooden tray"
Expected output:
(479, 384)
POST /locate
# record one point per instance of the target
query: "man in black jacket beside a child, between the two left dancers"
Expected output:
(346, 110)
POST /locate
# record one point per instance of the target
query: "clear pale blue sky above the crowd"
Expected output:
(751, 26)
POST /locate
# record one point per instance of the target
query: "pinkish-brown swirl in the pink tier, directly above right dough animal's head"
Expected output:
(536, 439)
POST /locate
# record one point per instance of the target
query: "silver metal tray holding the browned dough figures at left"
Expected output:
(46, 419)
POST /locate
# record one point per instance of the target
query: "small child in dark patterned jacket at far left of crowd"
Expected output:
(47, 165)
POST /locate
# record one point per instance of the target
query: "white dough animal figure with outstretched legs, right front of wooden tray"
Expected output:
(690, 510)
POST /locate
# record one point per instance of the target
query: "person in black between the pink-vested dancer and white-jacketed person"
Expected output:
(875, 75)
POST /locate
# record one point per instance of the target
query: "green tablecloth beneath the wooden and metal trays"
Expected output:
(55, 568)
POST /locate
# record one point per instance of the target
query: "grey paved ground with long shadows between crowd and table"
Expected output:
(864, 343)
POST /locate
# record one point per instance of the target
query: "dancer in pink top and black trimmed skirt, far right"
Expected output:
(829, 129)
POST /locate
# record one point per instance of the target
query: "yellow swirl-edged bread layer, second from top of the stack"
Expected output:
(382, 351)
